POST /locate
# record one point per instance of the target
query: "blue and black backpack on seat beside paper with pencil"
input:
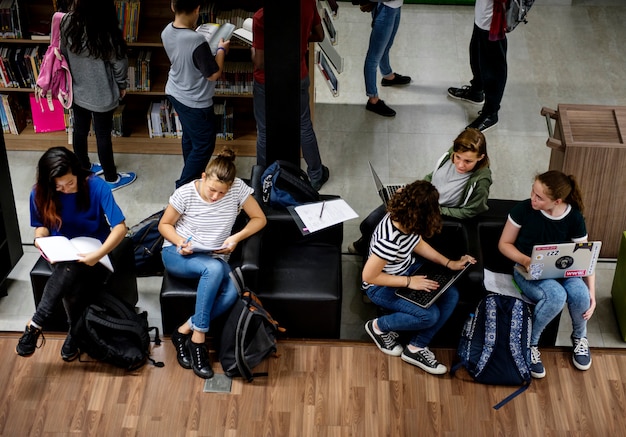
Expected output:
(285, 184)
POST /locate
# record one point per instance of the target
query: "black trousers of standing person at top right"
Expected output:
(489, 67)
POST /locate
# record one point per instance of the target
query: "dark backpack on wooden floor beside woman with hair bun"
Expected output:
(249, 334)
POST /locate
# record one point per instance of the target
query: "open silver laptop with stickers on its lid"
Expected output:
(563, 260)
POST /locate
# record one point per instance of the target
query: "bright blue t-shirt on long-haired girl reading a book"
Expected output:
(97, 221)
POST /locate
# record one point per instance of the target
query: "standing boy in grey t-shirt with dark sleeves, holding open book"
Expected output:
(190, 85)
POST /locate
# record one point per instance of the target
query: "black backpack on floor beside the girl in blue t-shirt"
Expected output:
(110, 330)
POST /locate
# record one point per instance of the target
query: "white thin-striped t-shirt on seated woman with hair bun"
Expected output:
(208, 223)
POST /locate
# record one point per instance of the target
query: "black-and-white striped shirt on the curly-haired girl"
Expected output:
(393, 246)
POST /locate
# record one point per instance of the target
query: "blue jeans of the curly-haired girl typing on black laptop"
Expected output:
(406, 316)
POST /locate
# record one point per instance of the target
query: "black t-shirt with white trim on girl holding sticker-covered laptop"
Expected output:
(537, 227)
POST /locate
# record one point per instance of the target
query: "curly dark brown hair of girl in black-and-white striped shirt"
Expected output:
(416, 208)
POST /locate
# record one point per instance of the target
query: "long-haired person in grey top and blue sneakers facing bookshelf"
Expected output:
(92, 43)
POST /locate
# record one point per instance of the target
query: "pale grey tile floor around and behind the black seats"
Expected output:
(565, 54)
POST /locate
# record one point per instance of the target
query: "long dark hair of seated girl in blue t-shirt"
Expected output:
(57, 162)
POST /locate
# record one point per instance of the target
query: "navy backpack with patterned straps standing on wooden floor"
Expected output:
(495, 343)
